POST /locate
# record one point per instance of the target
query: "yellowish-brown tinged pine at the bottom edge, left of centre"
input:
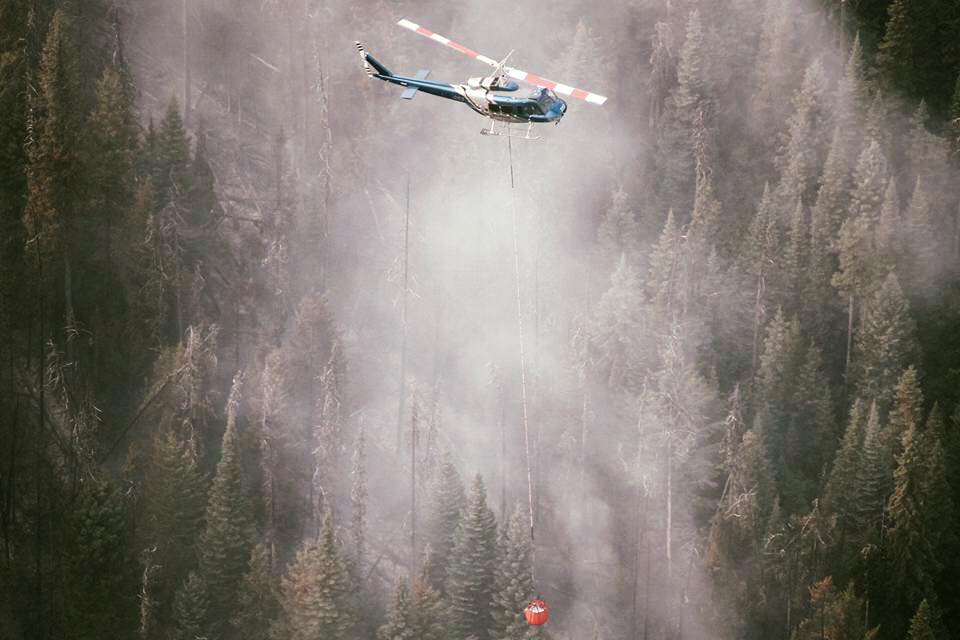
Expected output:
(315, 592)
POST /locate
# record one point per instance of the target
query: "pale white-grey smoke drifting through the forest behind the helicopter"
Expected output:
(462, 307)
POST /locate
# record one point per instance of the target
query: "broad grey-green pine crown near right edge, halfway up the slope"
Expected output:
(885, 344)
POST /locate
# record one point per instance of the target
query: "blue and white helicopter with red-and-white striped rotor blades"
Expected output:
(542, 105)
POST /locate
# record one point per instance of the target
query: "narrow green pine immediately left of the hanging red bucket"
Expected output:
(513, 585)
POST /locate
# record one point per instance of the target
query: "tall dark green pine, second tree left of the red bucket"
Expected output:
(470, 580)
